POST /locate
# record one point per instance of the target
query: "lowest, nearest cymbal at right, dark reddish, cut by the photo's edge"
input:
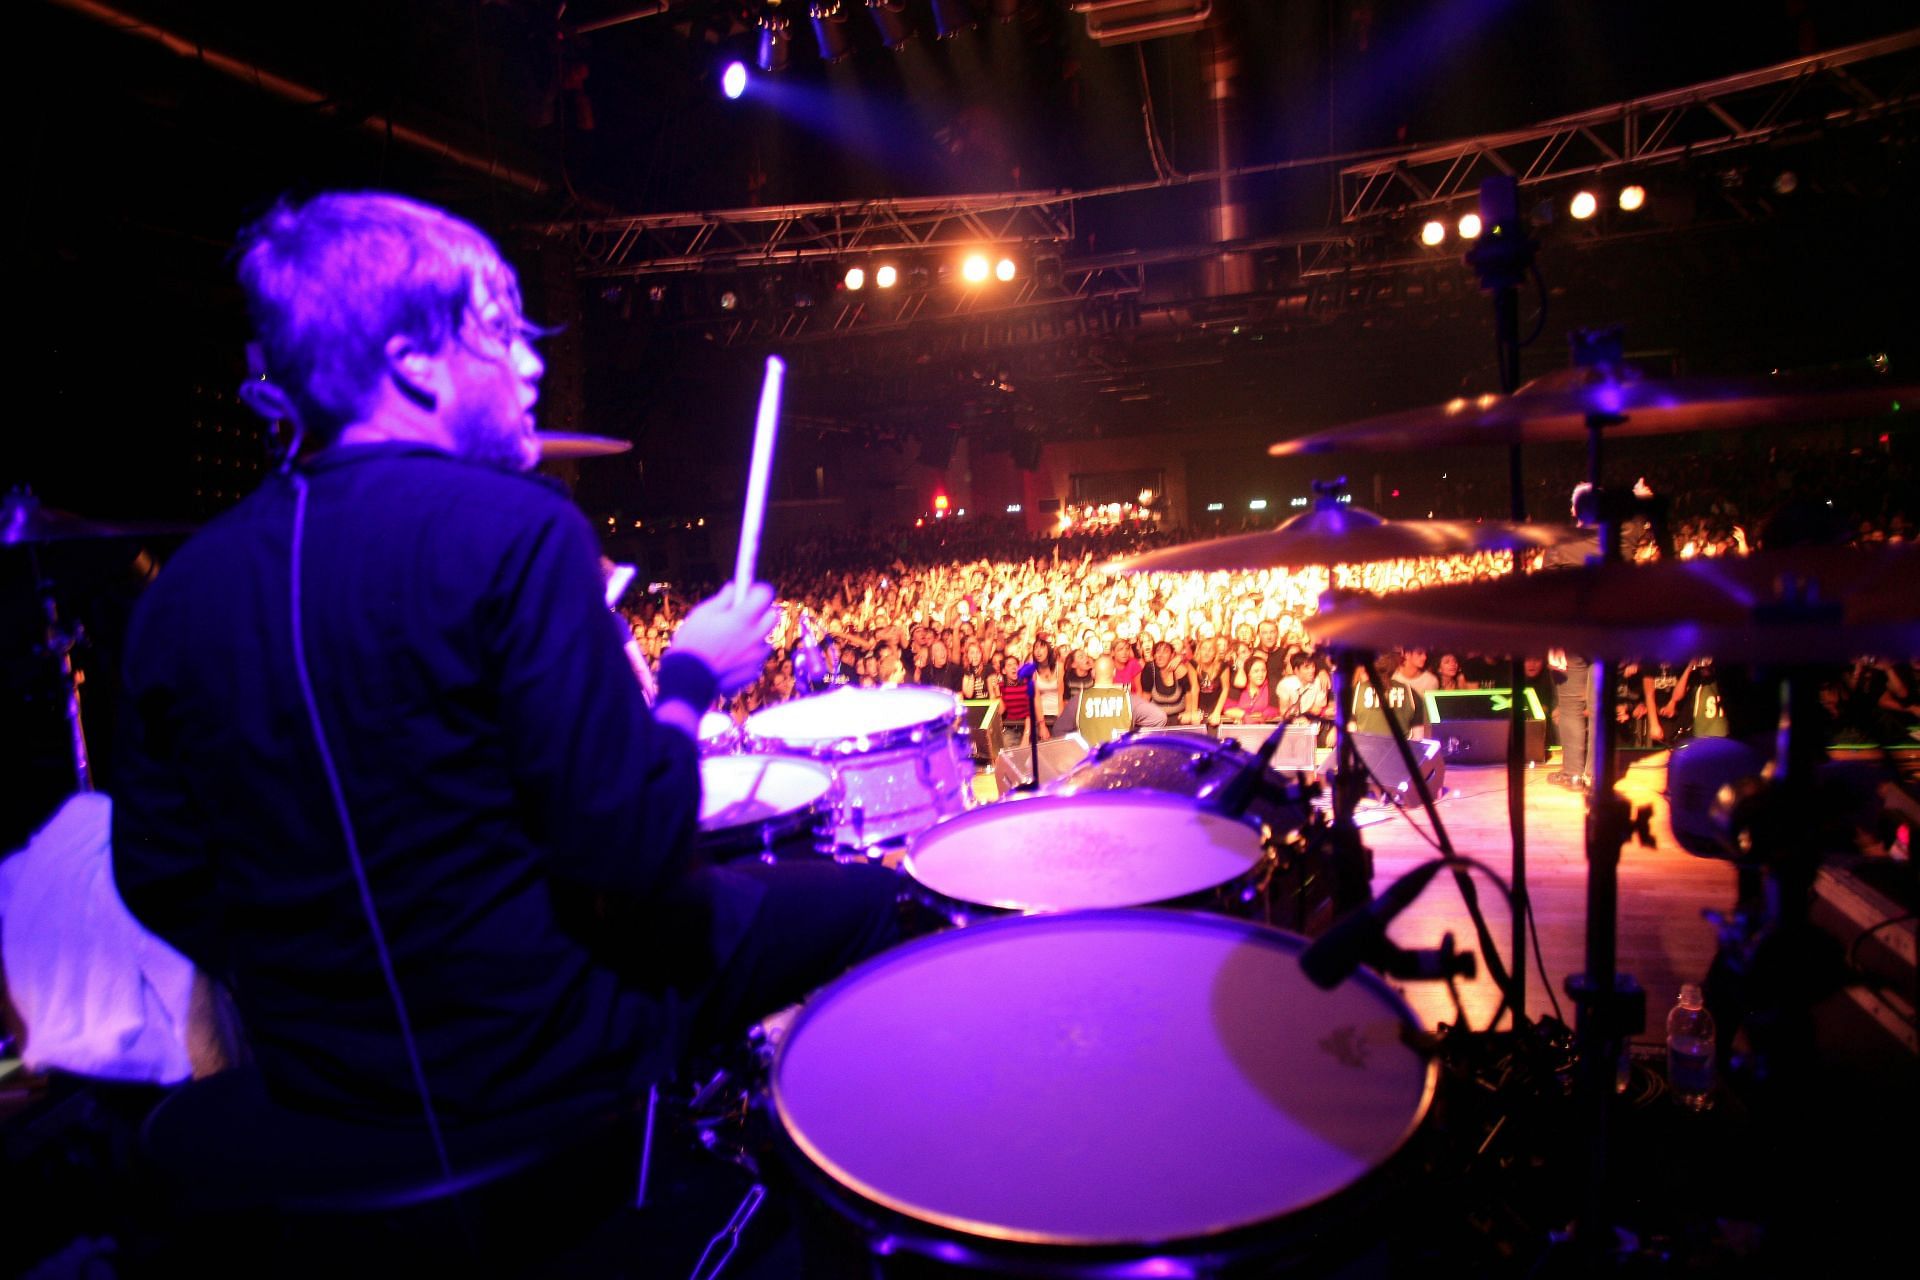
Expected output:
(1804, 605)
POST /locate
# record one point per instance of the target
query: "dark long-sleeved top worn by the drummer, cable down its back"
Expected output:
(492, 747)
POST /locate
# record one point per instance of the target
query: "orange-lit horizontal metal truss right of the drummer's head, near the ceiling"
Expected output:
(788, 235)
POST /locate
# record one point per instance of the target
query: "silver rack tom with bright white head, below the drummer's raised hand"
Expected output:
(901, 757)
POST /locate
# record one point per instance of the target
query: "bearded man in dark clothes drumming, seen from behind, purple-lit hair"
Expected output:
(381, 728)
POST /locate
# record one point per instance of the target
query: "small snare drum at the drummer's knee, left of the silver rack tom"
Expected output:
(765, 807)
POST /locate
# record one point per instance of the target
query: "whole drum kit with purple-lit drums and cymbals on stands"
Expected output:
(1080, 1085)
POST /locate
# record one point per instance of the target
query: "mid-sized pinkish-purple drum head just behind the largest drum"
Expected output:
(1092, 851)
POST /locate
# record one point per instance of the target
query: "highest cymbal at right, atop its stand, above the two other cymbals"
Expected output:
(1554, 410)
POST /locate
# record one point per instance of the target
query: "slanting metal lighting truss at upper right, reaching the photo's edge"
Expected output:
(1842, 87)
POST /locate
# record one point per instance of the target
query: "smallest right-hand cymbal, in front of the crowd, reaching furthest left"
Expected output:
(1335, 534)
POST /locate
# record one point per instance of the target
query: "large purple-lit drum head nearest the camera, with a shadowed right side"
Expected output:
(1099, 1079)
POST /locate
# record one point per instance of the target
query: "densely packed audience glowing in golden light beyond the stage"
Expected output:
(967, 605)
